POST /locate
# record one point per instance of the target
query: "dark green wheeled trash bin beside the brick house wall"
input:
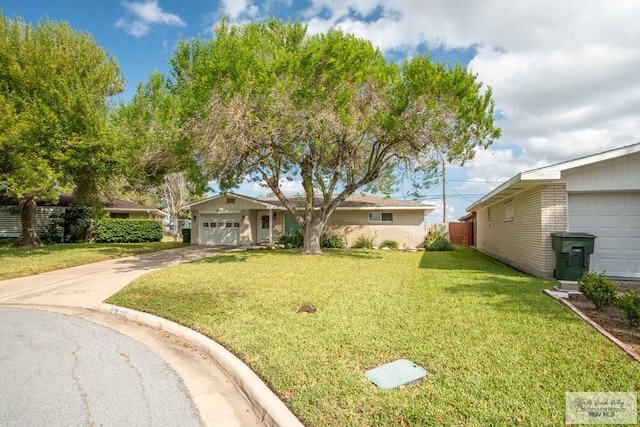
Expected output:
(573, 251)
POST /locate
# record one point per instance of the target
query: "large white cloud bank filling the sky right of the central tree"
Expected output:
(565, 75)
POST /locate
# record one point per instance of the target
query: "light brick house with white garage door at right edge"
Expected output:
(598, 194)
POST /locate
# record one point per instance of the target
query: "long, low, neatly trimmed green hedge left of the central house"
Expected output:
(128, 231)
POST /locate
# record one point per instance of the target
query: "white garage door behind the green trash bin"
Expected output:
(615, 219)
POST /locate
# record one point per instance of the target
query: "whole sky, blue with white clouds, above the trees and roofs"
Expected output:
(564, 74)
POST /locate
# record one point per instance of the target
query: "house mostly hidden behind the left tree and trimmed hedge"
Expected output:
(10, 214)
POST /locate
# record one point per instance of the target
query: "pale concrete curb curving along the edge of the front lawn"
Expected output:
(269, 408)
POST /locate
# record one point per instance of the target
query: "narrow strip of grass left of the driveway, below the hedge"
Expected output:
(19, 262)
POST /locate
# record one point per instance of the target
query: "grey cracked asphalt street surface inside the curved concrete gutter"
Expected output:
(59, 370)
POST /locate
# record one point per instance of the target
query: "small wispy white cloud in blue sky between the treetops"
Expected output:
(144, 15)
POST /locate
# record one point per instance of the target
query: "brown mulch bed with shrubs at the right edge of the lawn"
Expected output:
(612, 320)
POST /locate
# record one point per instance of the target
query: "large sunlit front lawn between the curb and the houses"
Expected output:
(498, 351)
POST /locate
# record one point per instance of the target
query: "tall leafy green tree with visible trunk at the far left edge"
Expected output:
(54, 136)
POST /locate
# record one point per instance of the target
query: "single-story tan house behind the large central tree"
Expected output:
(233, 219)
